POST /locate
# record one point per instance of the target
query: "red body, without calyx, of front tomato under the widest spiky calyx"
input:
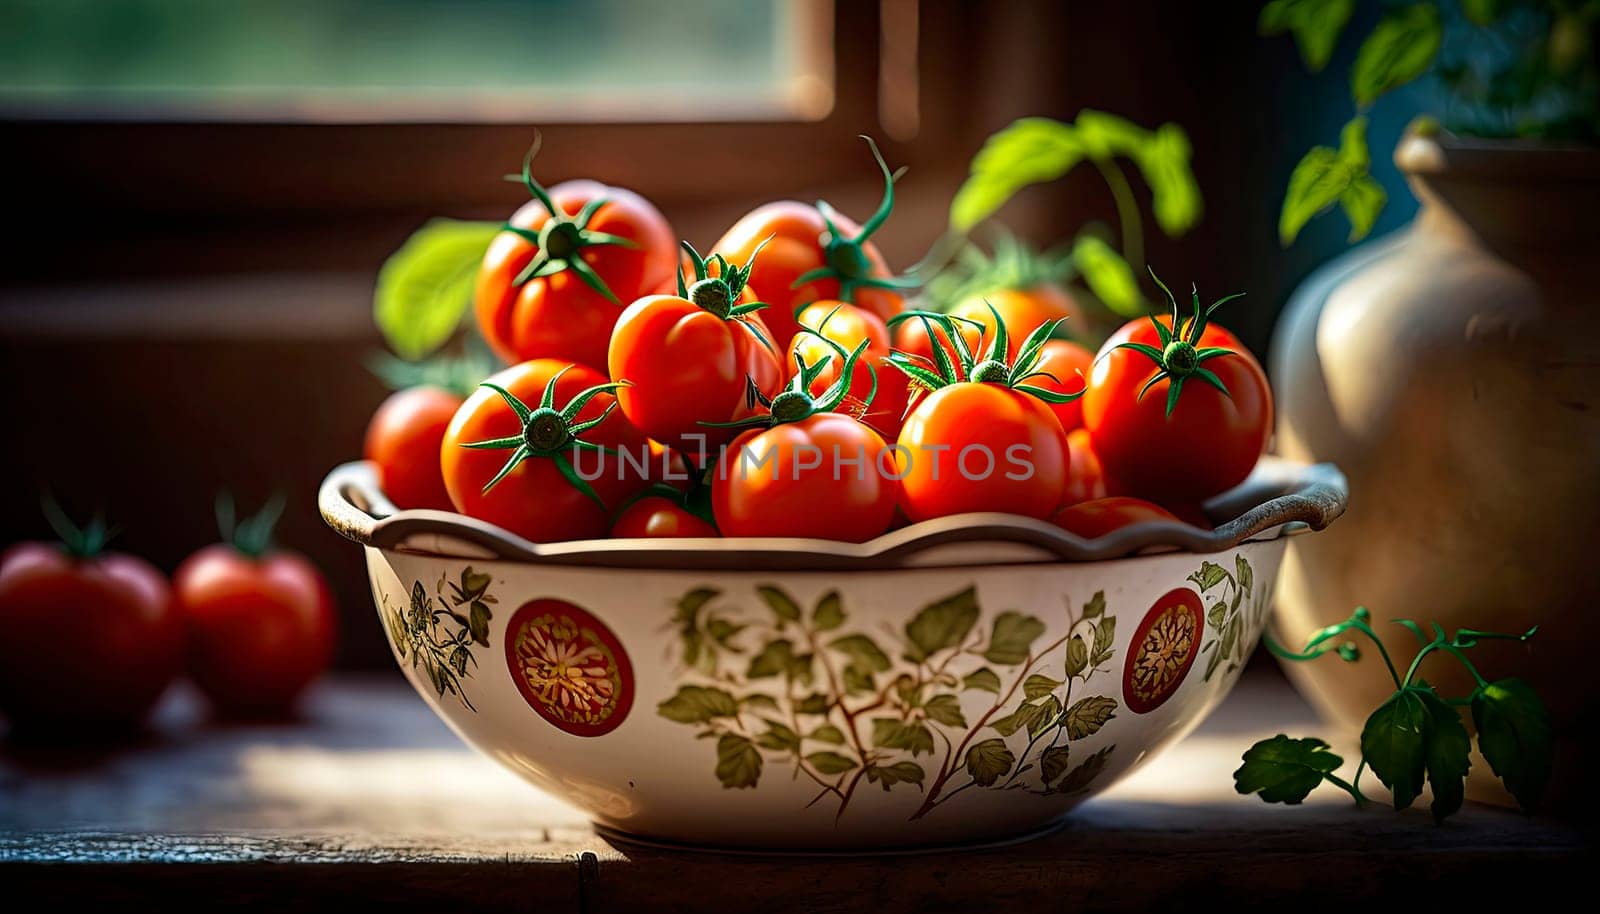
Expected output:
(982, 447)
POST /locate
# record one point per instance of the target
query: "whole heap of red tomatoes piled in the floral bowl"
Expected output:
(783, 387)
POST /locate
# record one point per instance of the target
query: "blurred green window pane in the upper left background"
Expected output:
(417, 60)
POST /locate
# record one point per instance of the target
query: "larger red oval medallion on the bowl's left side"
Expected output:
(569, 667)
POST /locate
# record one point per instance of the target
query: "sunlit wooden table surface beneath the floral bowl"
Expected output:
(329, 812)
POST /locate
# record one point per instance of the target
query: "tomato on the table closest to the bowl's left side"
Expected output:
(262, 622)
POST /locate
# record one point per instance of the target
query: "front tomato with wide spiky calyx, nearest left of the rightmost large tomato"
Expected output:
(986, 407)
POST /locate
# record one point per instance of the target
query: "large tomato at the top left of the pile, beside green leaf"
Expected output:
(556, 281)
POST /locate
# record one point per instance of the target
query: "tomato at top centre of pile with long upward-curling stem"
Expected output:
(815, 254)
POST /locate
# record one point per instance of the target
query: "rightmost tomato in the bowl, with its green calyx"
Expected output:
(1177, 407)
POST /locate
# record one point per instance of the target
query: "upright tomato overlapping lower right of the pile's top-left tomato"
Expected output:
(695, 358)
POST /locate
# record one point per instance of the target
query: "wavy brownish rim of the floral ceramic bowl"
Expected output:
(1281, 499)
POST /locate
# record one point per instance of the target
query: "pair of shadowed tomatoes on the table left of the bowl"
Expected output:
(250, 625)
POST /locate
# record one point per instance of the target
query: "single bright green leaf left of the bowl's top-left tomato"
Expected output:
(426, 286)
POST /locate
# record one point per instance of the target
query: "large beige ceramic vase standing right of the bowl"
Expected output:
(1454, 372)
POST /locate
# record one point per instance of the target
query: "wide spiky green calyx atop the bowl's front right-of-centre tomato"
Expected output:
(986, 366)
